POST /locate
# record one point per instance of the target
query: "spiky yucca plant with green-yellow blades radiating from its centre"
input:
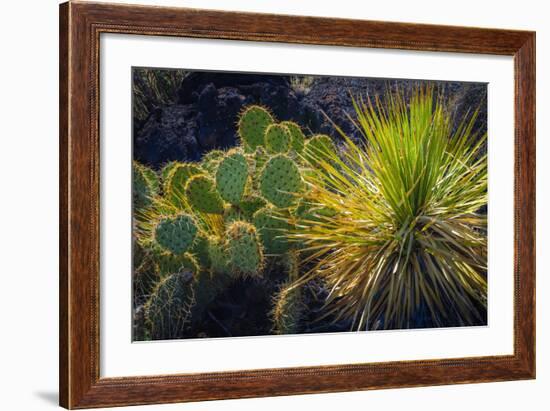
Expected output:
(405, 232)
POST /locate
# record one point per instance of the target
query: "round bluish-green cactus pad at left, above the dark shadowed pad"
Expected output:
(176, 234)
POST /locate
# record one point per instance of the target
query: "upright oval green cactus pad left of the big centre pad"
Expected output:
(231, 177)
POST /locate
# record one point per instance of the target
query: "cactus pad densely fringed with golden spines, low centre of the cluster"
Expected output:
(244, 249)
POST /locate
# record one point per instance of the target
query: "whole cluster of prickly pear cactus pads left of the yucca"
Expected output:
(221, 219)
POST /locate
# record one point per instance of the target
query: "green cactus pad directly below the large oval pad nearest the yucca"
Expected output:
(272, 229)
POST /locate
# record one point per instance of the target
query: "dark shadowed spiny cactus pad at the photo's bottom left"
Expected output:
(167, 311)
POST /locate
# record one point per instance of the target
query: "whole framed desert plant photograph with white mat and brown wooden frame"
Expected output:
(259, 205)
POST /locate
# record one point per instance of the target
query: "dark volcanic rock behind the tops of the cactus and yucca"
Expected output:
(206, 114)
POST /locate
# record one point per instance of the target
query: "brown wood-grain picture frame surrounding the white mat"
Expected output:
(81, 24)
